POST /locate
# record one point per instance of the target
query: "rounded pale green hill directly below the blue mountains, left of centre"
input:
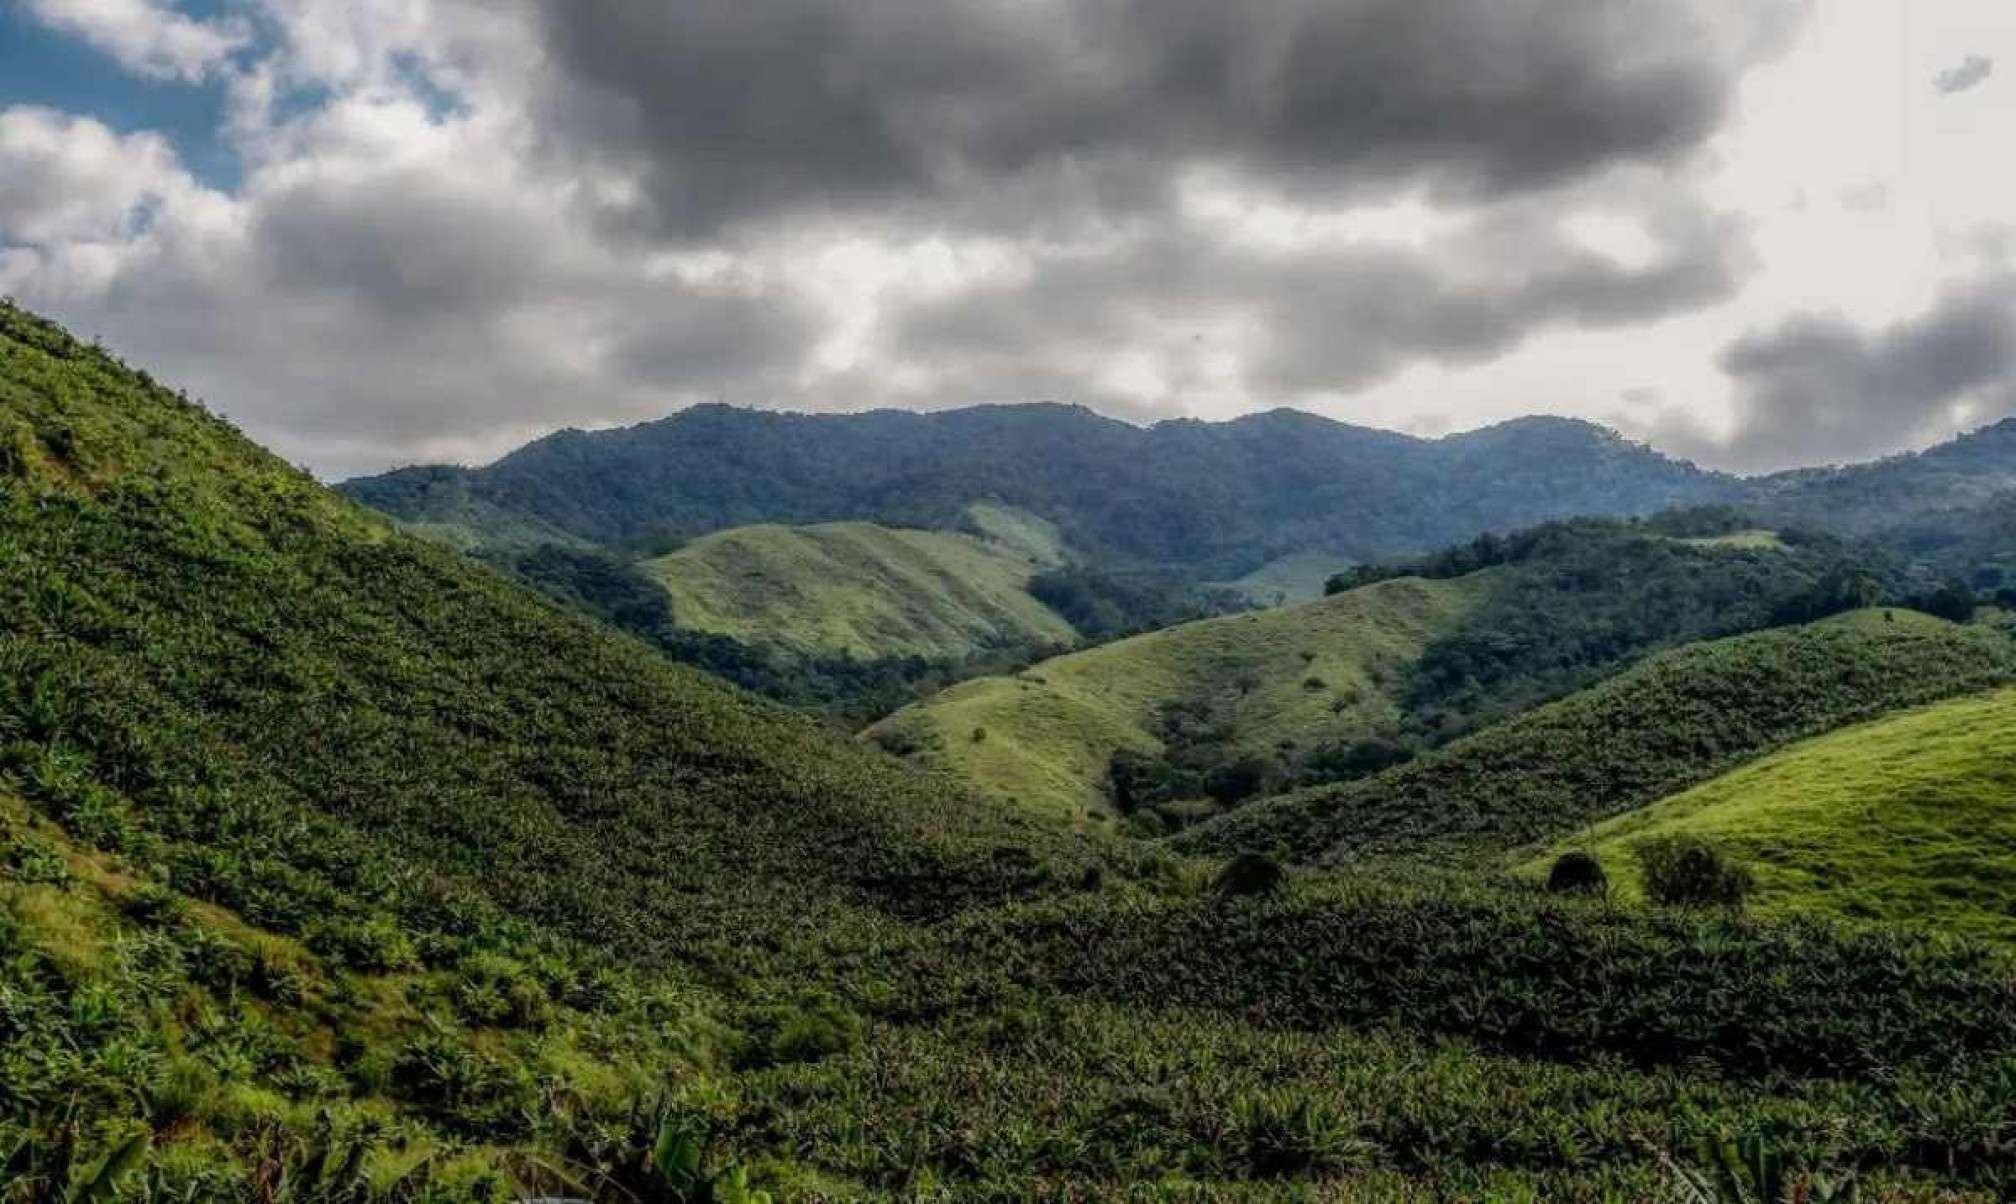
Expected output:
(858, 590)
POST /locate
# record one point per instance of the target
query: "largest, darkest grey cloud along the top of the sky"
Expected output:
(979, 112)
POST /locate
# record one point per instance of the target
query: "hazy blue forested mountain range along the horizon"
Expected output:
(1215, 499)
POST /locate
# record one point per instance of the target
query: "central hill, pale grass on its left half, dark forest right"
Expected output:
(1174, 727)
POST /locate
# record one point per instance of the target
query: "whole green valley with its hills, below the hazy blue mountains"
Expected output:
(338, 858)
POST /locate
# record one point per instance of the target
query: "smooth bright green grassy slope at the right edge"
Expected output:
(1910, 818)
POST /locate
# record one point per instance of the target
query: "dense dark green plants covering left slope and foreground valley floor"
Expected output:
(340, 868)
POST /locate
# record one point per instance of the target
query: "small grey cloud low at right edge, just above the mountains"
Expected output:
(1821, 390)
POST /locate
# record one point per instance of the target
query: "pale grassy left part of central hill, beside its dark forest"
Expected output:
(1045, 739)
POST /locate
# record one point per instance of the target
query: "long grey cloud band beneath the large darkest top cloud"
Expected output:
(1326, 322)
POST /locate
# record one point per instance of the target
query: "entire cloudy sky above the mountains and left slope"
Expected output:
(378, 233)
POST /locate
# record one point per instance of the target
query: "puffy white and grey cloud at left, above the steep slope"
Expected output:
(376, 308)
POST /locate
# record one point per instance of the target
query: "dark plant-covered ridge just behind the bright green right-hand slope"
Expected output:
(1656, 729)
